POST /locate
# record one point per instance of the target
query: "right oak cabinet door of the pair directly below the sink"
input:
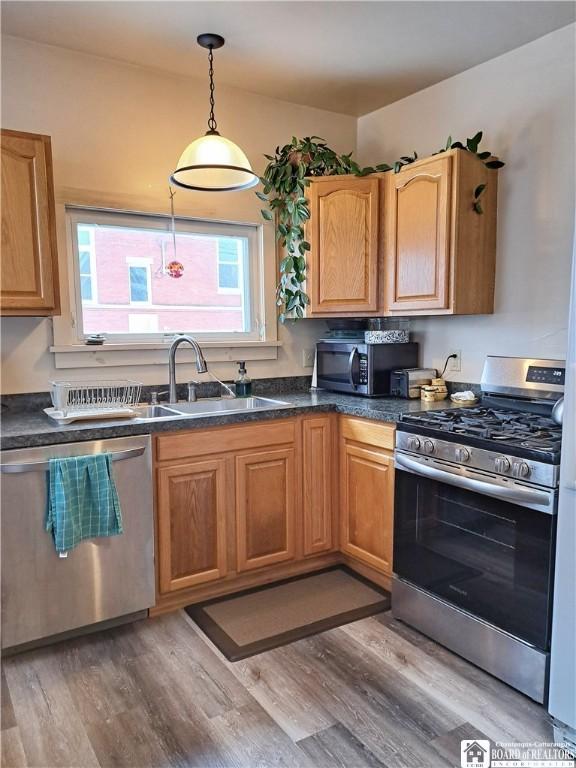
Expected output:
(265, 507)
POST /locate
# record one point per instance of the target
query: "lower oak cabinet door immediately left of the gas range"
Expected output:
(367, 505)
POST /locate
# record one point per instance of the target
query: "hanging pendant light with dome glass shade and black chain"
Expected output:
(213, 163)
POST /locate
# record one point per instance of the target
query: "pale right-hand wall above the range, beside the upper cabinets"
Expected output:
(524, 103)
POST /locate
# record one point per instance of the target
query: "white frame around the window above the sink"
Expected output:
(254, 300)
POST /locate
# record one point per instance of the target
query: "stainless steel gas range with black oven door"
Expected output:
(475, 522)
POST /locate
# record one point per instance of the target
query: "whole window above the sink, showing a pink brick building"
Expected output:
(209, 285)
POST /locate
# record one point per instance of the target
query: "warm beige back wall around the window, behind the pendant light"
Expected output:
(117, 131)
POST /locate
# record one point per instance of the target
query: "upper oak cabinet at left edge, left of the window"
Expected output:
(29, 262)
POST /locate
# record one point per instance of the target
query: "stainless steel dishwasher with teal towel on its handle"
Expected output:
(101, 579)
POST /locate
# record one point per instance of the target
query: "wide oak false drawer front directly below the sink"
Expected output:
(179, 445)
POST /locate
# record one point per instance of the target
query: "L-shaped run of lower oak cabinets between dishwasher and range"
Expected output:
(236, 505)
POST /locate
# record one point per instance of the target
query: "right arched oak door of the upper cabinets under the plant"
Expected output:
(418, 237)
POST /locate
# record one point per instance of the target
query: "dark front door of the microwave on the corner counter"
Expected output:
(339, 367)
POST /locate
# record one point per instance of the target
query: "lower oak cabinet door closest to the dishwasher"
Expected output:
(192, 500)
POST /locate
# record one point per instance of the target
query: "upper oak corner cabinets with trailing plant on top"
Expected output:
(407, 243)
